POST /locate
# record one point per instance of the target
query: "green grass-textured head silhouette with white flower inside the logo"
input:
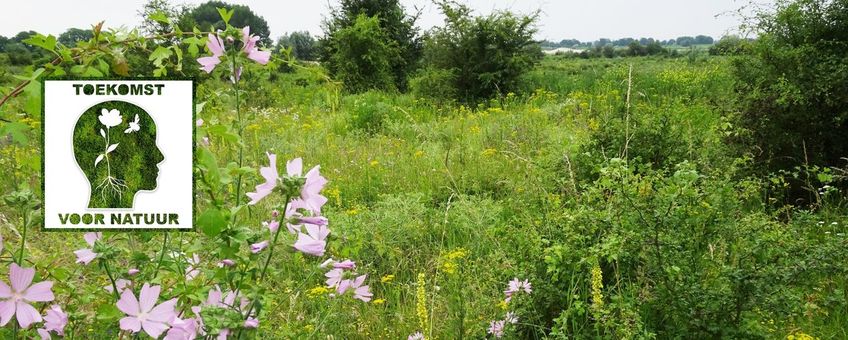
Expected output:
(115, 146)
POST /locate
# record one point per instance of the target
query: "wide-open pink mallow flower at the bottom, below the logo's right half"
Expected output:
(143, 313)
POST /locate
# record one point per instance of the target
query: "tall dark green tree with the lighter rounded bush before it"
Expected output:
(397, 33)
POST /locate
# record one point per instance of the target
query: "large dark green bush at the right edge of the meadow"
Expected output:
(792, 85)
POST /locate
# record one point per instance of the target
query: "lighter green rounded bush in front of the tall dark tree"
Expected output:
(363, 56)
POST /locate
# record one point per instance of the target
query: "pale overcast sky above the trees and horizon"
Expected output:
(586, 20)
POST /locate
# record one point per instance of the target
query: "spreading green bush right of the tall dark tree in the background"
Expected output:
(486, 55)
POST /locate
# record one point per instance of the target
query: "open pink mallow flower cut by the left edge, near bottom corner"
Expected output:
(20, 294)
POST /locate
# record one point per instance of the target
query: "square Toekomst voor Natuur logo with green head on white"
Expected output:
(118, 154)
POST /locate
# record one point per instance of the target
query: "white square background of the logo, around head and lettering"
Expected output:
(66, 189)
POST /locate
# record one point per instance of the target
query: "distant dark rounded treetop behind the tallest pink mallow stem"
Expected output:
(207, 18)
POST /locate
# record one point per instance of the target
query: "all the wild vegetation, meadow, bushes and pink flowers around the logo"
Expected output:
(527, 197)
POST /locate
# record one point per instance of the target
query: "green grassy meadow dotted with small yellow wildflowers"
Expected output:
(605, 199)
